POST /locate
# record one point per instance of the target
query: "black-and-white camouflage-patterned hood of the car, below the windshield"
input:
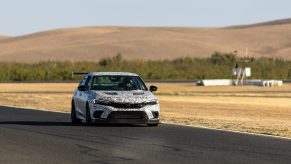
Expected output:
(125, 96)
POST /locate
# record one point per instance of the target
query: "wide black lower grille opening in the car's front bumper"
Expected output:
(127, 115)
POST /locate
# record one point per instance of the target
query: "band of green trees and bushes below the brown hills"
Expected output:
(218, 66)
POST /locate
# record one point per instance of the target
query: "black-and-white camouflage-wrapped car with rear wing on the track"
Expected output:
(114, 97)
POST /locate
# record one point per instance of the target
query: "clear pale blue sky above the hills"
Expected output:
(20, 17)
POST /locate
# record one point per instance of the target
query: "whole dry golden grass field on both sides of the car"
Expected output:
(249, 109)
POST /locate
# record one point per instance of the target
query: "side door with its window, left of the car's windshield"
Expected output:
(81, 97)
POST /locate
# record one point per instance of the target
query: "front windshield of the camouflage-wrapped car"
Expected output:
(117, 83)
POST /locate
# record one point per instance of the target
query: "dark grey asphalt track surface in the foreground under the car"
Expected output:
(30, 136)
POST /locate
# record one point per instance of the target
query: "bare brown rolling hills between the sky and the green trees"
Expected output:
(270, 39)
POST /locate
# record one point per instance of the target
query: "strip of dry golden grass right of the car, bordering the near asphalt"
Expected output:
(262, 115)
